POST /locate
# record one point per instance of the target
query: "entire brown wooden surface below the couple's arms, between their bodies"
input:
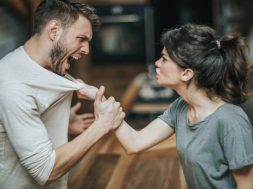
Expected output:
(107, 166)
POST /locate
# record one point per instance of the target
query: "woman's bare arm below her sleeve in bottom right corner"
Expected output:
(244, 177)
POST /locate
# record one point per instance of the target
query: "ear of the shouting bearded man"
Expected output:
(54, 30)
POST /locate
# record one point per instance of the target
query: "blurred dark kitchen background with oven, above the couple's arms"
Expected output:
(123, 51)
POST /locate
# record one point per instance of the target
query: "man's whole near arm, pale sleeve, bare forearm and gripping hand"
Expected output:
(29, 138)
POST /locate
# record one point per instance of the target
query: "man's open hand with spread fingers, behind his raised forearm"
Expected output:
(78, 123)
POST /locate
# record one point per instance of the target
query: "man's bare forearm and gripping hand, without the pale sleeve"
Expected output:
(109, 115)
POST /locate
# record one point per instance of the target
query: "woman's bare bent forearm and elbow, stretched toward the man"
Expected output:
(134, 141)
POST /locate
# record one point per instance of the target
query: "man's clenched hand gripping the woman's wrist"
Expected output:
(108, 111)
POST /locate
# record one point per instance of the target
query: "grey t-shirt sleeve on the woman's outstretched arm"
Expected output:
(170, 115)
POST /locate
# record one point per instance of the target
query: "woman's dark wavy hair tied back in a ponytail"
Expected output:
(219, 63)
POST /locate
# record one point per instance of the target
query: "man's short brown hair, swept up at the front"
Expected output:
(66, 11)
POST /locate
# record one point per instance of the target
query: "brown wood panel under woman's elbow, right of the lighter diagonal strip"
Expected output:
(156, 169)
